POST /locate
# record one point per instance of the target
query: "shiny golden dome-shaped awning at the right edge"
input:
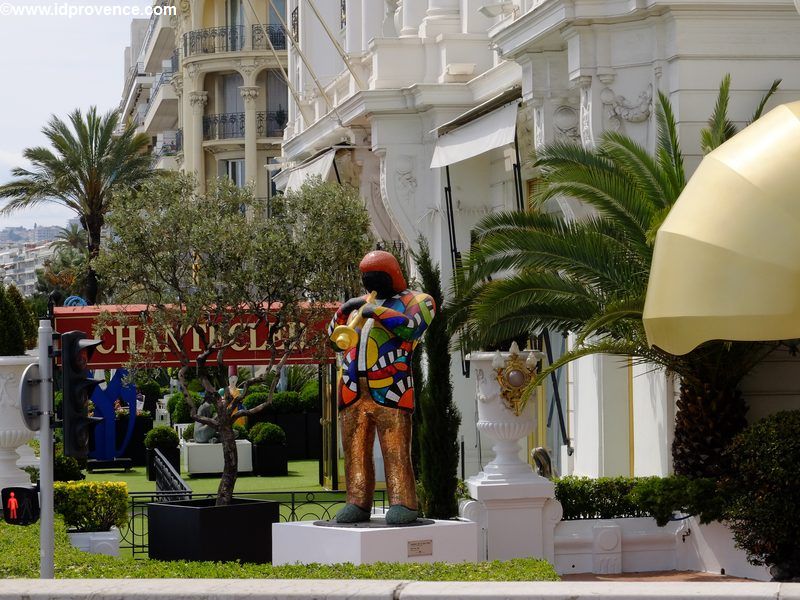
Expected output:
(726, 263)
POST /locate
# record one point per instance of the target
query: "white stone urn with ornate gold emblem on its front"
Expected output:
(501, 378)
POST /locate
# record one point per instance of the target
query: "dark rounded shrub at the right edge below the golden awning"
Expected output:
(764, 493)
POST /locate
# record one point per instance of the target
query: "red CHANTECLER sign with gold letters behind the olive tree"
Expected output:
(118, 339)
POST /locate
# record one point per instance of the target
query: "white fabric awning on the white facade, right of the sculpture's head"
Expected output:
(481, 135)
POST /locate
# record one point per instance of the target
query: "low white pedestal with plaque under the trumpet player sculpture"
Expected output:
(443, 541)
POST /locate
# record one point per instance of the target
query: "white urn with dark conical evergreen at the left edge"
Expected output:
(13, 362)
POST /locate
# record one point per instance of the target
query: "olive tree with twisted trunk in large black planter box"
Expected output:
(210, 272)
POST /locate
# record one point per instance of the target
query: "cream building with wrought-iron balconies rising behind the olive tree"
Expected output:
(205, 85)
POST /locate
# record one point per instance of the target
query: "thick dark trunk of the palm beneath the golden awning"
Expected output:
(707, 420)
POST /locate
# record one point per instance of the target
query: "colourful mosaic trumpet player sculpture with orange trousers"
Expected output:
(377, 335)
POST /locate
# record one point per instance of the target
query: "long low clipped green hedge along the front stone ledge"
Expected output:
(19, 558)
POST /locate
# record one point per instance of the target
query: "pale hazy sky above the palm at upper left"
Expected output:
(51, 65)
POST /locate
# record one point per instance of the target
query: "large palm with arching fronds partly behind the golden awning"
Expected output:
(590, 277)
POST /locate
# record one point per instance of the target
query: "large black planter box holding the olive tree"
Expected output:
(199, 530)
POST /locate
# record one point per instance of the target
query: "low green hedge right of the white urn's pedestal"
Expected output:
(657, 497)
